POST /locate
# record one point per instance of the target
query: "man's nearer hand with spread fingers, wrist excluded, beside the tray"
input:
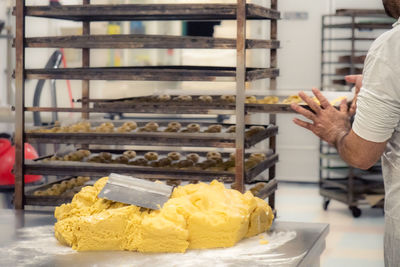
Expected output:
(328, 123)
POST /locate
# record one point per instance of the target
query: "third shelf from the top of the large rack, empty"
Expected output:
(152, 73)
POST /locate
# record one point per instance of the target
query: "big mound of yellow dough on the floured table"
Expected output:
(197, 216)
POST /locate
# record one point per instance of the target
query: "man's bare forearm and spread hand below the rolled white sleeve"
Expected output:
(333, 126)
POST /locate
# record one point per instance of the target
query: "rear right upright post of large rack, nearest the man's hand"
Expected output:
(273, 86)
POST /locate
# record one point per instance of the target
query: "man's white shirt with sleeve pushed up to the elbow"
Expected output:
(378, 110)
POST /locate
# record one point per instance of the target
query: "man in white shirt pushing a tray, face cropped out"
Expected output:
(375, 132)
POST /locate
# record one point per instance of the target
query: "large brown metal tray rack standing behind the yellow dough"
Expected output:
(87, 13)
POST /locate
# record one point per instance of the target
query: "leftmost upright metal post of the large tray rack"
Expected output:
(19, 104)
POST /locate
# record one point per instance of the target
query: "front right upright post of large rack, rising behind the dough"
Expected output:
(240, 92)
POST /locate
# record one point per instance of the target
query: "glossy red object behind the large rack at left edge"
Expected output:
(7, 159)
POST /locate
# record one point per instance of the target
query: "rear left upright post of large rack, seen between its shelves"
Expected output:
(85, 64)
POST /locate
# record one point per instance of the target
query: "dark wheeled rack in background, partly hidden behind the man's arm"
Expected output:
(339, 181)
